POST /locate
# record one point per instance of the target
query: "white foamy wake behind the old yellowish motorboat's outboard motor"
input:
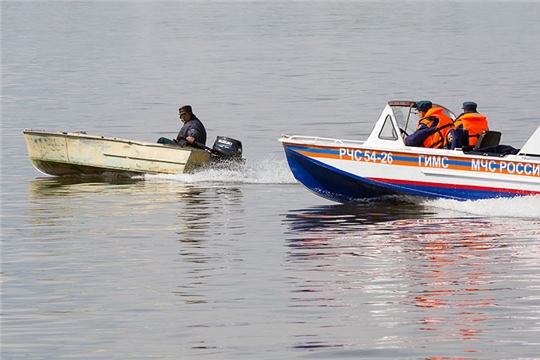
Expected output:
(261, 171)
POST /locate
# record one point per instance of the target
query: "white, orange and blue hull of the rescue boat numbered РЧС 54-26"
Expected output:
(350, 174)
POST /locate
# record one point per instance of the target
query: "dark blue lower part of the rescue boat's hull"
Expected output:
(339, 186)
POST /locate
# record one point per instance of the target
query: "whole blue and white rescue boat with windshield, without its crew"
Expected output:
(382, 166)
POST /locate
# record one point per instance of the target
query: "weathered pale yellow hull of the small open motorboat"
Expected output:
(65, 154)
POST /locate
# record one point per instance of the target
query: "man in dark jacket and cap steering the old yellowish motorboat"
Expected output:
(193, 131)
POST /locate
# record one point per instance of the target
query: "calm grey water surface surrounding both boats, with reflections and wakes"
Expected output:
(247, 263)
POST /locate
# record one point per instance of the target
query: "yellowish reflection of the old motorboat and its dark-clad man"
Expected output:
(113, 213)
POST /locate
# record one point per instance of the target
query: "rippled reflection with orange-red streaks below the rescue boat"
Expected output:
(442, 277)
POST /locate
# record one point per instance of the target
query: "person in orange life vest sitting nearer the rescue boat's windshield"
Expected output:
(432, 127)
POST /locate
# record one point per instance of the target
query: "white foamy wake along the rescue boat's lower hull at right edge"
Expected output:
(517, 207)
